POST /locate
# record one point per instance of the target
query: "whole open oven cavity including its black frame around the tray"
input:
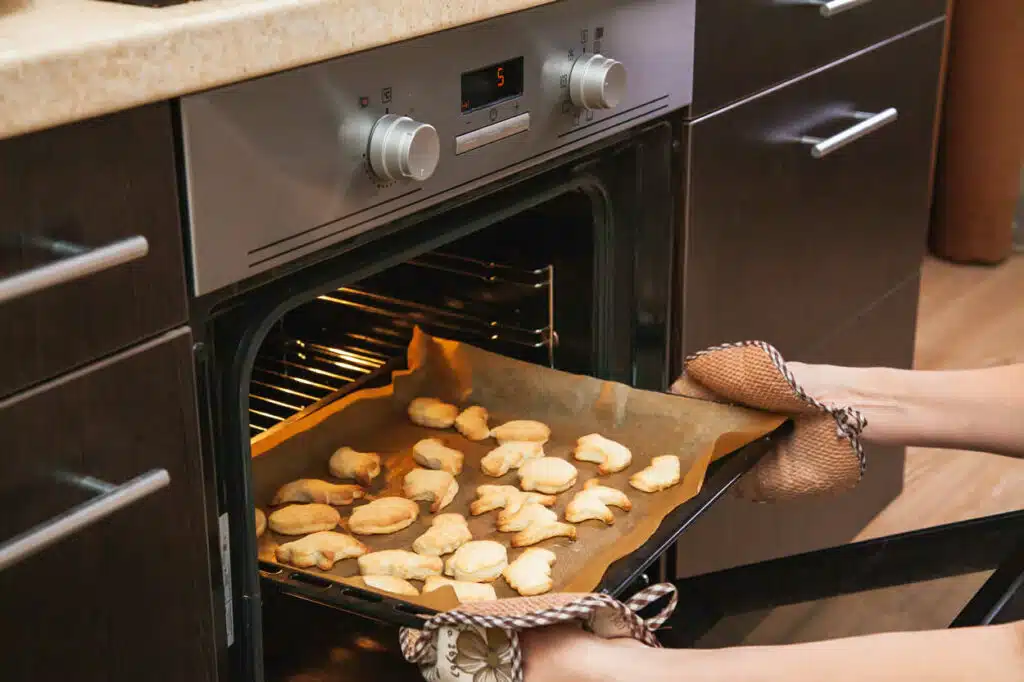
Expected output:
(569, 267)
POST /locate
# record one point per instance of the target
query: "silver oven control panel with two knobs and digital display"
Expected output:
(282, 166)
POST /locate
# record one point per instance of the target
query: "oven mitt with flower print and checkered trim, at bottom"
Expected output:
(481, 642)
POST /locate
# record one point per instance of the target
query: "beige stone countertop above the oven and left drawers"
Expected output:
(64, 61)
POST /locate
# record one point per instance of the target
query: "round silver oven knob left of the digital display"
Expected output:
(401, 148)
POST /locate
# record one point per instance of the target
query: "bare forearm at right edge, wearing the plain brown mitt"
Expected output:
(982, 410)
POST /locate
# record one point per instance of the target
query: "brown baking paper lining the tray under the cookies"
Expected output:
(375, 420)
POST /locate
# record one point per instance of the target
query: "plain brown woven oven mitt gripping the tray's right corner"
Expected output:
(823, 454)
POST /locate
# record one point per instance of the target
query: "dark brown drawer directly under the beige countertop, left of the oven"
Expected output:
(91, 247)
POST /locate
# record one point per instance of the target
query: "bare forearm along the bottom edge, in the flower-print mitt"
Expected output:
(994, 654)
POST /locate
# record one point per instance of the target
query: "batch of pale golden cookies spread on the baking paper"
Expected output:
(472, 566)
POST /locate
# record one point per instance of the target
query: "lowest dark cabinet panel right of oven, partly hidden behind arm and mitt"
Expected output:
(736, 532)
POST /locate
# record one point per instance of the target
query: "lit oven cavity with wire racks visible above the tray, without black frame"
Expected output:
(523, 287)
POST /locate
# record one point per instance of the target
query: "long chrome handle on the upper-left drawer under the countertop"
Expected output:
(74, 268)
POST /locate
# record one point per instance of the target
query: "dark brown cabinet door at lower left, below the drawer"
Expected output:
(127, 598)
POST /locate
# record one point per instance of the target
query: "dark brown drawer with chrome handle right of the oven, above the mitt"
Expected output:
(784, 246)
